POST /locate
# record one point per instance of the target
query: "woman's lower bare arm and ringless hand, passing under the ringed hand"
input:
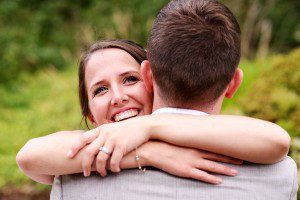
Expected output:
(42, 158)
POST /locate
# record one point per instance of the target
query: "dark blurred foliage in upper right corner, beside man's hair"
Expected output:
(267, 25)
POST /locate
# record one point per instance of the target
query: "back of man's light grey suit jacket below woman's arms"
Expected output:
(278, 181)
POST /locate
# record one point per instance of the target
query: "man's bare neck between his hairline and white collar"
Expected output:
(214, 108)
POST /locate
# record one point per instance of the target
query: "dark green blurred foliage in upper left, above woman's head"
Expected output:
(37, 34)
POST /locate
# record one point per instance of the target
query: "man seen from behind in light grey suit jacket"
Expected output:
(193, 51)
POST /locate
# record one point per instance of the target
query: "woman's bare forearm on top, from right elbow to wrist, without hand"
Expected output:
(240, 137)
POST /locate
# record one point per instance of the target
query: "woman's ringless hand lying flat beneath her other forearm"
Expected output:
(187, 162)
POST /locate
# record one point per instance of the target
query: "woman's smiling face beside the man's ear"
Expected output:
(115, 87)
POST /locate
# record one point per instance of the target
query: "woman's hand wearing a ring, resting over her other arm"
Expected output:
(117, 138)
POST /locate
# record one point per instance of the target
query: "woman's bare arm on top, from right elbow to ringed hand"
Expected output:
(240, 137)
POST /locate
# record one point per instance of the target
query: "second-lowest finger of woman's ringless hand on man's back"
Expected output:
(215, 167)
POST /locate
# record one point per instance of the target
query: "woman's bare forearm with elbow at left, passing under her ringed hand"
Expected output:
(43, 158)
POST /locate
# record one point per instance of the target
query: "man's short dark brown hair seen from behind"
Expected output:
(194, 50)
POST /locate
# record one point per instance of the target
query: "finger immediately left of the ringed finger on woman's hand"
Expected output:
(89, 155)
